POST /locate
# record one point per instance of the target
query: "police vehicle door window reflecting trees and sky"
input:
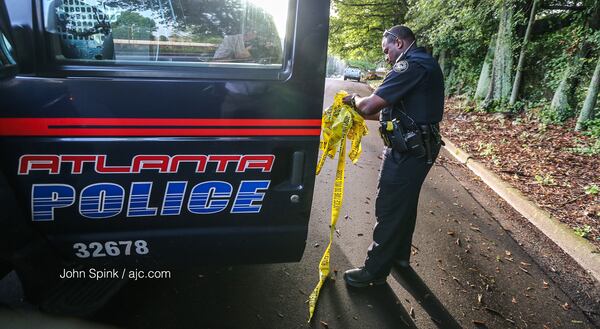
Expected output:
(239, 33)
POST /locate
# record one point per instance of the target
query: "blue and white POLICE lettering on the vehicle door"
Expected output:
(105, 200)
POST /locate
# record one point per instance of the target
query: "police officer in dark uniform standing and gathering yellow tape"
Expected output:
(409, 104)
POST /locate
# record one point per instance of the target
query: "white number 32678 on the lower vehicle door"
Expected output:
(110, 248)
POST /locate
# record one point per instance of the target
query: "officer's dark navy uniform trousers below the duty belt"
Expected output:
(400, 180)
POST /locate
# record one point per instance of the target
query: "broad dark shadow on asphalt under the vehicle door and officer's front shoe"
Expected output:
(255, 296)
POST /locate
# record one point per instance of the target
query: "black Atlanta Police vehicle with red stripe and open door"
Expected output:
(157, 132)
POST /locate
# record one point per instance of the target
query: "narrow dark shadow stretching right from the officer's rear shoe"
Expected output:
(410, 280)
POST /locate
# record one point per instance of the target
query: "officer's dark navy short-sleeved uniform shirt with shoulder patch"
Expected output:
(415, 85)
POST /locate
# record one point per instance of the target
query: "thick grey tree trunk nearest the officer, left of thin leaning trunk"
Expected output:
(500, 86)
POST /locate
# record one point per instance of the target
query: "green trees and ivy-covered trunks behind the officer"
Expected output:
(557, 61)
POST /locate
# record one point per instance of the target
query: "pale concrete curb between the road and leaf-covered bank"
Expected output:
(581, 250)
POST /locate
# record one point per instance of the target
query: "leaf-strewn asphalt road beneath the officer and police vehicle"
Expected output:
(468, 272)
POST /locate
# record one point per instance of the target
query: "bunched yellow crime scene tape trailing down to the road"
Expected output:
(340, 122)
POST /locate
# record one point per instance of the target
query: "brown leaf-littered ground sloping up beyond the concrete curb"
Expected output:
(537, 159)
